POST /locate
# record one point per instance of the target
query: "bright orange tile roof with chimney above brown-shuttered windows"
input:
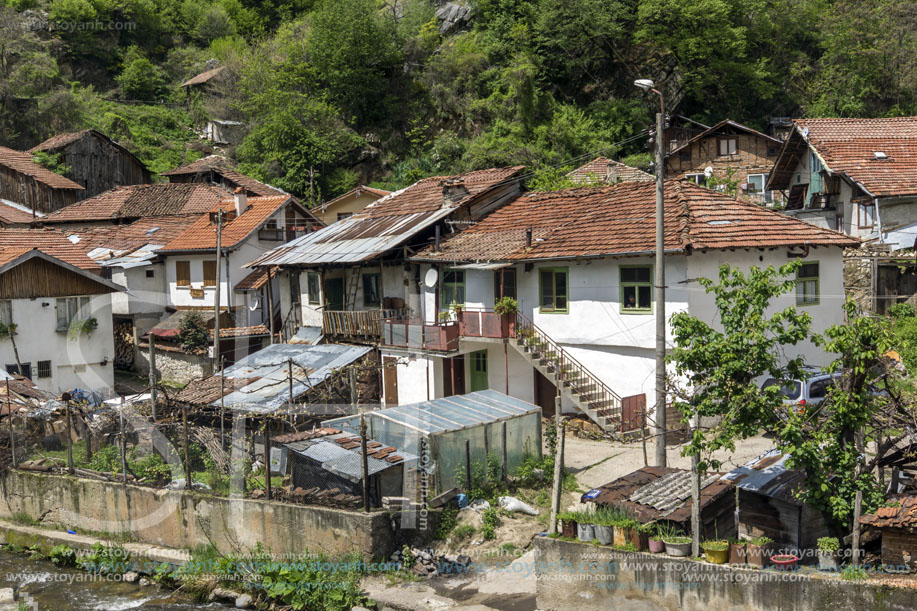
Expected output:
(202, 234)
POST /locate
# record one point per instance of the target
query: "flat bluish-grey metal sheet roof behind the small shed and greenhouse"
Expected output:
(311, 365)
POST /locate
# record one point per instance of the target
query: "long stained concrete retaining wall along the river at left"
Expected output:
(185, 520)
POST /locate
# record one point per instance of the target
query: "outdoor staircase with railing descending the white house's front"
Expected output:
(590, 395)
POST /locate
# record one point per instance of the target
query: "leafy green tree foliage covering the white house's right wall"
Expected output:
(720, 367)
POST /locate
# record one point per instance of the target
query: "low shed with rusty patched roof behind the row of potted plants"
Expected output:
(663, 495)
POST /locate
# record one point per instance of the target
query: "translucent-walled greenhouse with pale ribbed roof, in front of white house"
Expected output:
(450, 433)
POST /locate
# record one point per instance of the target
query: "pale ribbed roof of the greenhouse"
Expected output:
(447, 414)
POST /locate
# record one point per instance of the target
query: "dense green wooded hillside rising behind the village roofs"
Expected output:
(336, 92)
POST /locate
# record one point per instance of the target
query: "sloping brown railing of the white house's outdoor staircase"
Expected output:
(568, 370)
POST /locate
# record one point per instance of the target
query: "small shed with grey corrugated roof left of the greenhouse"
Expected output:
(329, 459)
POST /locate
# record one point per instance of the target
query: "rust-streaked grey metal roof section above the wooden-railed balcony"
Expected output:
(354, 239)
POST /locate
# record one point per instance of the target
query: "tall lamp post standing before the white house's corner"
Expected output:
(648, 85)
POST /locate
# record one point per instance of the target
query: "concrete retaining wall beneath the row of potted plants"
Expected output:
(591, 578)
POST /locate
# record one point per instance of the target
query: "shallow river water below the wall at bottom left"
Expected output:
(45, 587)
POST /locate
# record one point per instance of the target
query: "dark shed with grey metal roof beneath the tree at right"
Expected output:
(768, 503)
